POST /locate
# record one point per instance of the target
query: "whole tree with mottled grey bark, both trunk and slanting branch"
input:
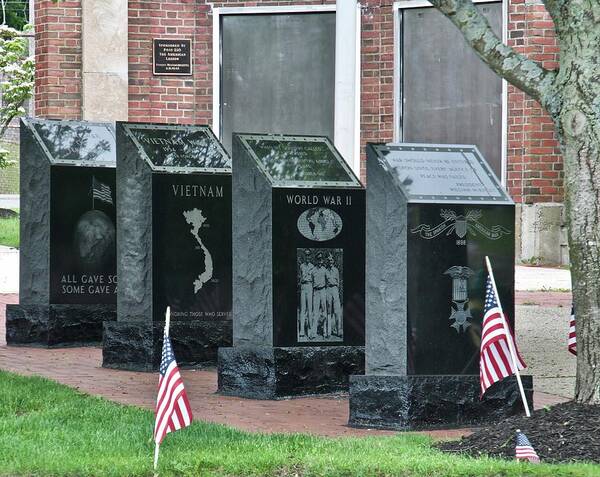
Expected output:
(572, 98)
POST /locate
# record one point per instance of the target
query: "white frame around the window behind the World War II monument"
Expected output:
(350, 135)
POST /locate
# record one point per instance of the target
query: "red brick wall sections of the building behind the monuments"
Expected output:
(534, 161)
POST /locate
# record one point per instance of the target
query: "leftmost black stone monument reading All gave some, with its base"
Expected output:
(68, 279)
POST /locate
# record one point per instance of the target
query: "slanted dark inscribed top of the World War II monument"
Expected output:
(305, 161)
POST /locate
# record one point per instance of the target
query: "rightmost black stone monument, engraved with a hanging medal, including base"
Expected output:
(433, 214)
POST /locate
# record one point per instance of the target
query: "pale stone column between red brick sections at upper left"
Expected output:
(104, 38)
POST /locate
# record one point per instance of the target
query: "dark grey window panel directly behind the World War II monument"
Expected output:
(277, 74)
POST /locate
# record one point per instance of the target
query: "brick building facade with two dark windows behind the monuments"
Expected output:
(368, 71)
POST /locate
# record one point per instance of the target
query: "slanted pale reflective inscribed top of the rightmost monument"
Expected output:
(441, 173)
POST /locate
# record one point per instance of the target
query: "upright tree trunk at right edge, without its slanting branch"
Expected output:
(575, 107)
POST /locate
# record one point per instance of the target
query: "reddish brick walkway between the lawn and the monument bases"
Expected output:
(81, 368)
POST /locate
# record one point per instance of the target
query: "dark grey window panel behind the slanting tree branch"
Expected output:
(449, 95)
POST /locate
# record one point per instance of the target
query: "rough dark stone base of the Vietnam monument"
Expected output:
(137, 346)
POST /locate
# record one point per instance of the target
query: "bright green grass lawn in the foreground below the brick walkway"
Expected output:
(50, 429)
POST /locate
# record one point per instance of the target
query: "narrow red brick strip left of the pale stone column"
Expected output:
(58, 59)
